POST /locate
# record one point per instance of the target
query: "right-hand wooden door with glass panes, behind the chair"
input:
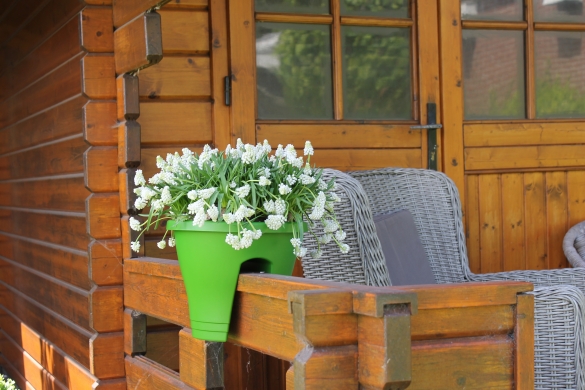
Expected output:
(513, 78)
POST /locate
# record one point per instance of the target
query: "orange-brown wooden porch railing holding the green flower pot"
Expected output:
(340, 336)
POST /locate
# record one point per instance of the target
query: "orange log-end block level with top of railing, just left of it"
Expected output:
(105, 262)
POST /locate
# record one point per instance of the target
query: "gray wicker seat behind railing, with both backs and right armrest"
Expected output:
(433, 200)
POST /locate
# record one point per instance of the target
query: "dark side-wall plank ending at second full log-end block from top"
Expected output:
(61, 84)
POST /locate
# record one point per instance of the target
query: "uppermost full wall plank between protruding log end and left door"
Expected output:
(185, 32)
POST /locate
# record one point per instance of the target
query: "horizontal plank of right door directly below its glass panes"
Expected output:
(515, 134)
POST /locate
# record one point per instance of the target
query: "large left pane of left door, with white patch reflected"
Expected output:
(293, 71)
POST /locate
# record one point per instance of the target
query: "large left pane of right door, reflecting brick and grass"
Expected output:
(493, 74)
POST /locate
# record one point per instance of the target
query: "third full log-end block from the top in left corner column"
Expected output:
(99, 123)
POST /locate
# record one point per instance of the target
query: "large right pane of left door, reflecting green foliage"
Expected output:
(376, 73)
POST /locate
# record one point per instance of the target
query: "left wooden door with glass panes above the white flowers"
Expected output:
(351, 77)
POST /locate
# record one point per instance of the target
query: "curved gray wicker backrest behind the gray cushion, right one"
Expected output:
(433, 200)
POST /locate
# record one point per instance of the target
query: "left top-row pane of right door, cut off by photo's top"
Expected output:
(492, 10)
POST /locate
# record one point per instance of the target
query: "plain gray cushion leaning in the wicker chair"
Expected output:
(405, 256)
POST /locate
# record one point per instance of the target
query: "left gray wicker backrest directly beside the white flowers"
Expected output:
(365, 263)
